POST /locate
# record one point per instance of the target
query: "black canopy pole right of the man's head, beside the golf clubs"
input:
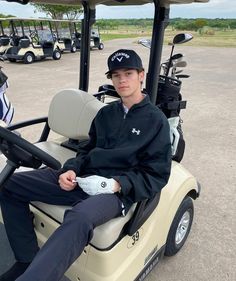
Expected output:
(161, 20)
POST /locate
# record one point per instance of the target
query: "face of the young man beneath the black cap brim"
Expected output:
(127, 82)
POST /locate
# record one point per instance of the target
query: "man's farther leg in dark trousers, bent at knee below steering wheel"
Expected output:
(20, 189)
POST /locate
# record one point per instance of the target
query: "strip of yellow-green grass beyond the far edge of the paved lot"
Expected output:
(218, 38)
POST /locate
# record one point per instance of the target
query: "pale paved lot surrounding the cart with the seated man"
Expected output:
(210, 133)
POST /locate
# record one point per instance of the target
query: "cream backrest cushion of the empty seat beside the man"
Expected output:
(71, 113)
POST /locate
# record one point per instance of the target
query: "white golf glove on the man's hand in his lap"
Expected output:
(93, 185)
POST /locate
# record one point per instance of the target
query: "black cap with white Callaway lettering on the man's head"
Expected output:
(124, 59)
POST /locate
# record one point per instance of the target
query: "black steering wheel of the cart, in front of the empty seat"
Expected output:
(20, 152)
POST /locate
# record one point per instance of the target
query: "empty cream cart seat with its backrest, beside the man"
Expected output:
(70, 115)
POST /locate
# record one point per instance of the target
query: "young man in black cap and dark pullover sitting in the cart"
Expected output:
(127, 159)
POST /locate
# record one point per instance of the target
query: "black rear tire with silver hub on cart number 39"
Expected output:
(180, 227)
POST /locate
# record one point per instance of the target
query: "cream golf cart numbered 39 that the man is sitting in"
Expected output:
(126, 248)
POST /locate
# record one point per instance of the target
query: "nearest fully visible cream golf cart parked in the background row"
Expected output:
(32, 44)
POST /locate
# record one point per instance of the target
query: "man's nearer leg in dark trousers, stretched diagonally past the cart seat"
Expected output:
(68, 241)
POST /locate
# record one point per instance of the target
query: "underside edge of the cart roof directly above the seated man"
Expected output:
(117, 2)
